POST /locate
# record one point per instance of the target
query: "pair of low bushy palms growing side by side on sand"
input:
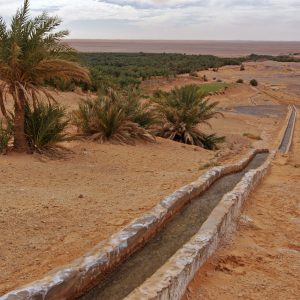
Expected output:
(126, 117)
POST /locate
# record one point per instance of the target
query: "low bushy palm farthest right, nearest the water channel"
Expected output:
(181, 111)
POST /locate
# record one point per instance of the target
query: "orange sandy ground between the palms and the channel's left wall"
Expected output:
(53, 211)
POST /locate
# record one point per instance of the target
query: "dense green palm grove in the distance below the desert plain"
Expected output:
(119, 70)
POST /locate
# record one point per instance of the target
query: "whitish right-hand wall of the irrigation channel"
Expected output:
(172, 279)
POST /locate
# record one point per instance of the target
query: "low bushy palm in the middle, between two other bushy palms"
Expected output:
(109, 118)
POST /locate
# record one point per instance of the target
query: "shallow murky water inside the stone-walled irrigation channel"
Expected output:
(144, 262)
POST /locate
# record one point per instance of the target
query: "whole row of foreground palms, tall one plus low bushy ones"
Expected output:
(31, 53)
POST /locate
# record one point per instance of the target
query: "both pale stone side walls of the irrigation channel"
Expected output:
(170, 281)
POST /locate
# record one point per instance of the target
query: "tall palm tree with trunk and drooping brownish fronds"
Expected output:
(31, 53)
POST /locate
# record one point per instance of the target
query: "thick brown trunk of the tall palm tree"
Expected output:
(20, 142)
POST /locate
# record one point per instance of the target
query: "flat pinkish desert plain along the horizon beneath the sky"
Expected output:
(218, 48)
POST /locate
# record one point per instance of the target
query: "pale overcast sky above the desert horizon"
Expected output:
(172, 19)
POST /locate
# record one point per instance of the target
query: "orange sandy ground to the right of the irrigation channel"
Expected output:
(263, 259)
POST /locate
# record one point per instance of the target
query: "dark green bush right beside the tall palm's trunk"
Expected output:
(44, 126)
